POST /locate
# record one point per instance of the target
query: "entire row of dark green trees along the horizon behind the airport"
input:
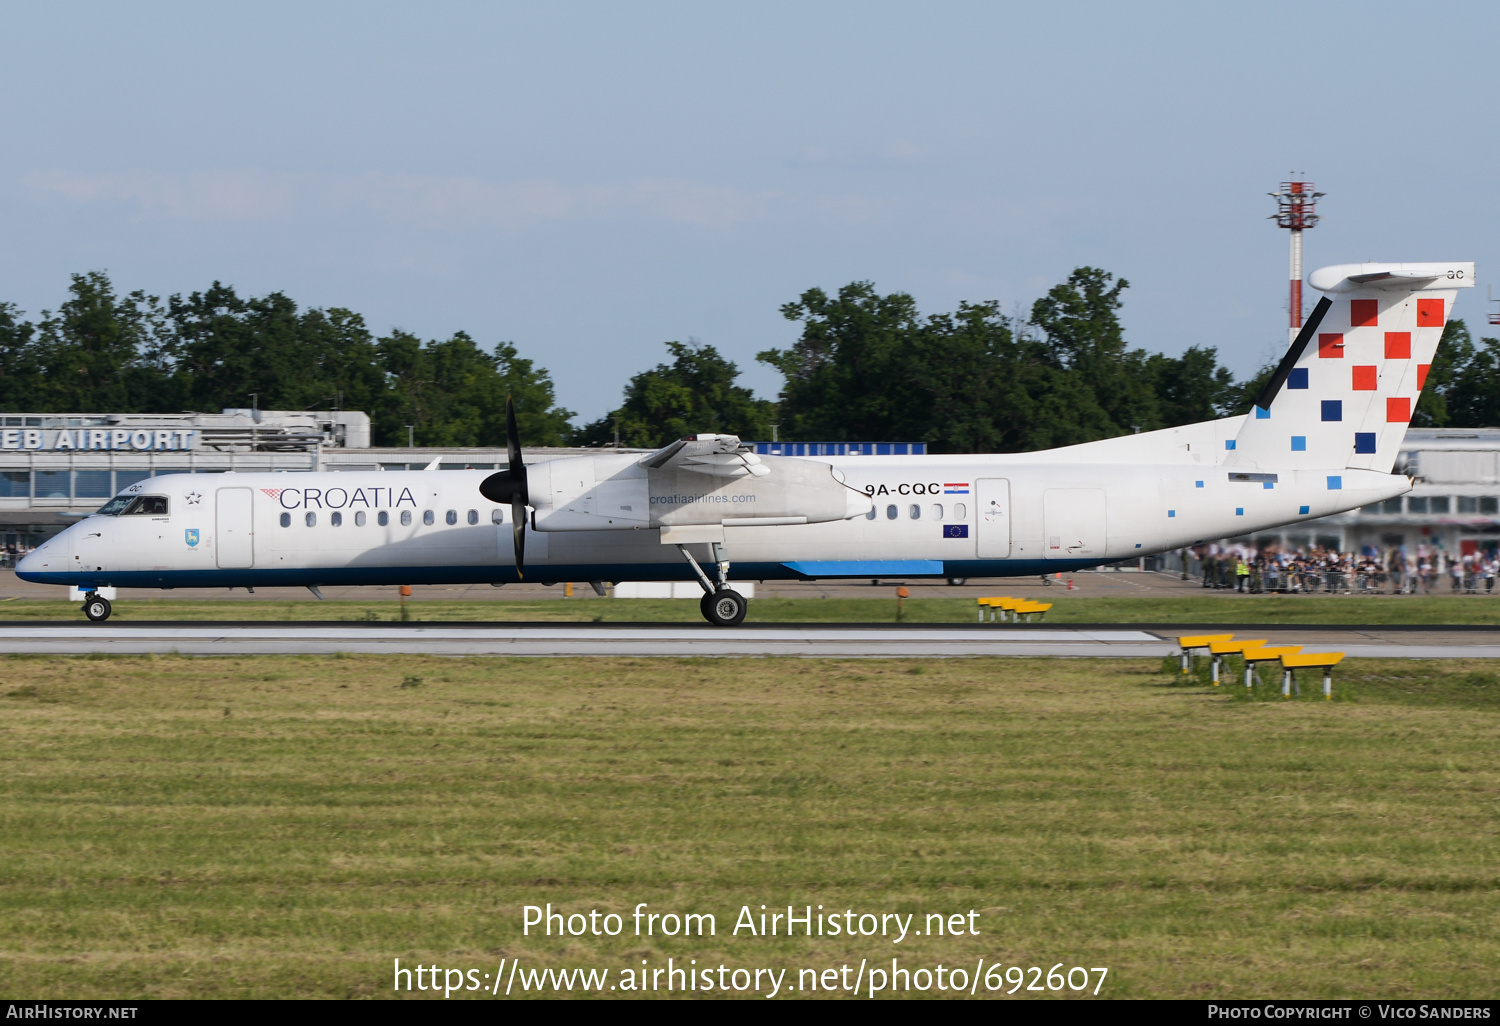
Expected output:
(865, 368)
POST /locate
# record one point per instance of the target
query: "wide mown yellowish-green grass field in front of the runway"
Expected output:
(287, 826)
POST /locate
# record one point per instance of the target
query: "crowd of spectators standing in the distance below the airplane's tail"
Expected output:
(1426, 572)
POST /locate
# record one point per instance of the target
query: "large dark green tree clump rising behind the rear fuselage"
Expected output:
(869, 368)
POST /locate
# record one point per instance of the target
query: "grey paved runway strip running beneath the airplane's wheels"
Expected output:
(241, 638)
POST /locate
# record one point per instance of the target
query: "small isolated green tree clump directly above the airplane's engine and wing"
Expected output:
(697, 394)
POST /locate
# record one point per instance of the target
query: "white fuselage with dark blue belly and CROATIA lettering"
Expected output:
(958, 517)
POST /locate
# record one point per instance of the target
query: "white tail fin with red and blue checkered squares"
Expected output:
(1345, 392)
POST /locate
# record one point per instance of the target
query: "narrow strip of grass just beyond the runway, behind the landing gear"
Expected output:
(1157, 610)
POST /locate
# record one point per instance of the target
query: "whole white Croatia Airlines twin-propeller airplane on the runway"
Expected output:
(1322, 439)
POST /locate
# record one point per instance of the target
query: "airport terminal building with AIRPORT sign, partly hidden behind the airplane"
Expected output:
(56, 467)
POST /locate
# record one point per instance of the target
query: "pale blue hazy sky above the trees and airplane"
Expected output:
(593, 181)
